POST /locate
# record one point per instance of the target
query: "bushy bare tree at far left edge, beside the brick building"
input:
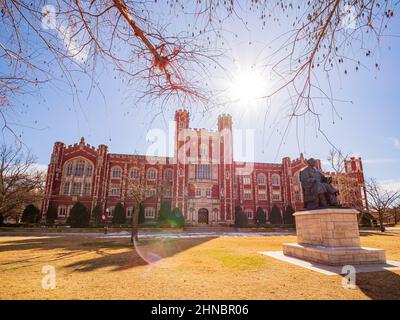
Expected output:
(20, 183)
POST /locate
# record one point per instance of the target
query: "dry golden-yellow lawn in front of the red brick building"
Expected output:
(207, 268)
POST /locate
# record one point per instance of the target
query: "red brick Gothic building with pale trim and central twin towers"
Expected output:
(201, 178)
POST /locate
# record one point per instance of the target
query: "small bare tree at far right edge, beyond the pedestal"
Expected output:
(381, 199)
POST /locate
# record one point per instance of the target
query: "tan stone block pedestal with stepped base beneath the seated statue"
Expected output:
(331, 236)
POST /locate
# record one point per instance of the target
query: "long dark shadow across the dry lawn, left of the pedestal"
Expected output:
(144, 252)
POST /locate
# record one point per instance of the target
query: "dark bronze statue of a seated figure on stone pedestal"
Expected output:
(318, 191)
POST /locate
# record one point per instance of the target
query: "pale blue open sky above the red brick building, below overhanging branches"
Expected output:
(369, 126)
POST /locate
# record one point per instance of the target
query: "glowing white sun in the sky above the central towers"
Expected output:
(248, 85)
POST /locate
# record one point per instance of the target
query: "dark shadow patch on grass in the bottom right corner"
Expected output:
(384, 285)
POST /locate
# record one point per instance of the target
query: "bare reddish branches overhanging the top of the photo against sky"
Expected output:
(76, 36)
